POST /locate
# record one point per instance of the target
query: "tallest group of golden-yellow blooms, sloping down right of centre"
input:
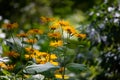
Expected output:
(58, 29)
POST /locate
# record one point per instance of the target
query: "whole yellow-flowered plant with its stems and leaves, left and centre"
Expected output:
(39, 54)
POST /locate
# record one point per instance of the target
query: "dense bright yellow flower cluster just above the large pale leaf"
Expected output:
(40, 57)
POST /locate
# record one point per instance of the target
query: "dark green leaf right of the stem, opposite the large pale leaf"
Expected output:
(76, 68)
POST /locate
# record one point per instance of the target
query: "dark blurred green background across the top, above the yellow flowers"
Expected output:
(30, 10)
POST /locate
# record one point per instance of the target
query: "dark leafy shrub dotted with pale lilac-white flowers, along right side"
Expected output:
(103, 31)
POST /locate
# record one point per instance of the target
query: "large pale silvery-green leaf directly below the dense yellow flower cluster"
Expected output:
(39, 68)
